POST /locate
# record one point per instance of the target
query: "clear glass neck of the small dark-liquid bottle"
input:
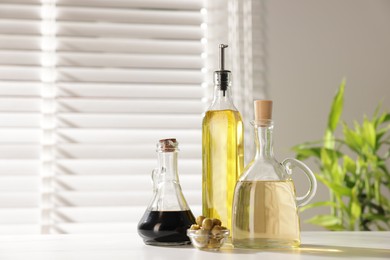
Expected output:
(167, 163)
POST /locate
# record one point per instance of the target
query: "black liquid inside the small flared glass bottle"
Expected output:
(165, 227)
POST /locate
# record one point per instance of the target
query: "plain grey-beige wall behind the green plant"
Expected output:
(312, 45)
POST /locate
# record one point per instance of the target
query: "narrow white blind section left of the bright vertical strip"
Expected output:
(20, 119)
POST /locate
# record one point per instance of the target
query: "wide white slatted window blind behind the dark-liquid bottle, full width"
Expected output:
(87, 88)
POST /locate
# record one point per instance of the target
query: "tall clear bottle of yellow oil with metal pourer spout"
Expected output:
(222, 148)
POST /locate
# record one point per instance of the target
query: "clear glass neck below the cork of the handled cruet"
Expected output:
(264, 142)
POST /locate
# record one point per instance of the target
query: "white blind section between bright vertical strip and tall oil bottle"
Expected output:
(129, 92)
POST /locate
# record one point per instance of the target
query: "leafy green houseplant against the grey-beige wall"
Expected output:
(353, 168)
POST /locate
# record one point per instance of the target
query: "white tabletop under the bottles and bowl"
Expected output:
(315, 245)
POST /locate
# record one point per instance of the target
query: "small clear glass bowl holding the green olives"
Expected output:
(204, 240)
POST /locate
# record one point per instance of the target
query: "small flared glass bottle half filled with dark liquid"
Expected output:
(168, 216)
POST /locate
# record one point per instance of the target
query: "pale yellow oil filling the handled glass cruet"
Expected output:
(268, 215)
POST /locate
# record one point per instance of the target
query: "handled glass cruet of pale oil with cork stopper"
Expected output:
(265, 205)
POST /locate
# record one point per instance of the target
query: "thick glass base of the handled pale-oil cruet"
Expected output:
(264, 243)
